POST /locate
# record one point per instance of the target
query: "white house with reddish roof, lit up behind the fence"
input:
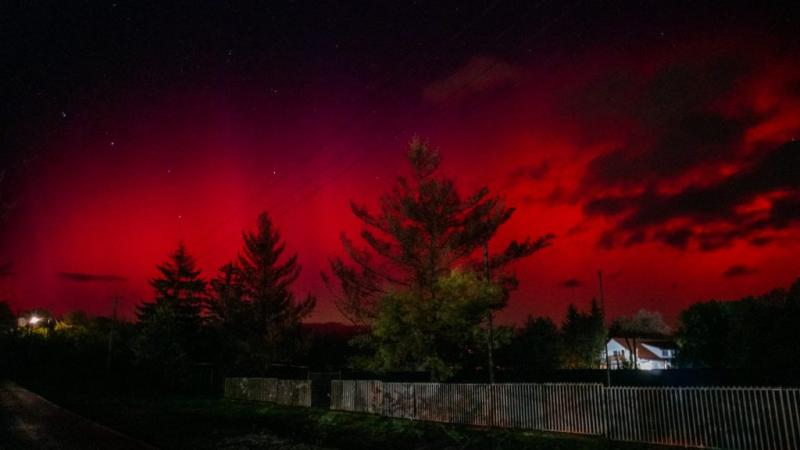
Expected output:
(651, 354)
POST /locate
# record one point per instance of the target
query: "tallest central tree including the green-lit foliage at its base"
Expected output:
(423, 230)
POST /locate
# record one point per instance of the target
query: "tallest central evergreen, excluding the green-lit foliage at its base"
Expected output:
(423, 230)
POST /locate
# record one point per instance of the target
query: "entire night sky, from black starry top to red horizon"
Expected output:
(656, 140)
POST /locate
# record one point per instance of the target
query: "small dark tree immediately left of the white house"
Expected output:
(584, 336)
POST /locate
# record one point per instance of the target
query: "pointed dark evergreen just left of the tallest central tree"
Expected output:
(275, 313)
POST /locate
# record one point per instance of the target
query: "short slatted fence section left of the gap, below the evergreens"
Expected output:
(282, 392)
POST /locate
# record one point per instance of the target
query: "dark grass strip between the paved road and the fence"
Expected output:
(191, 422)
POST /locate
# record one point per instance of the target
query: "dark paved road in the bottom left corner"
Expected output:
(28, 421)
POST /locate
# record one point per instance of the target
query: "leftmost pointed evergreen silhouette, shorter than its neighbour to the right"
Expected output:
(170, 326)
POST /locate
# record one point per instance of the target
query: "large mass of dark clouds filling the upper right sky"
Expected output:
(674, 128)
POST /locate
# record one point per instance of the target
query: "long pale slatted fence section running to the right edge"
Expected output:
(706, 417)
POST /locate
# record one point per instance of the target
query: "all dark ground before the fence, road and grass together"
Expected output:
(196, 422)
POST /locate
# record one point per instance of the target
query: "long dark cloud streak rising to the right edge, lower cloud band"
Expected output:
(715, 205)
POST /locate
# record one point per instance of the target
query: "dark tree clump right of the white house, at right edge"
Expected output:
(754, 332)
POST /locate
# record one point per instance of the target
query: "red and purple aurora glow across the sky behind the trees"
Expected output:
(669, 164)
